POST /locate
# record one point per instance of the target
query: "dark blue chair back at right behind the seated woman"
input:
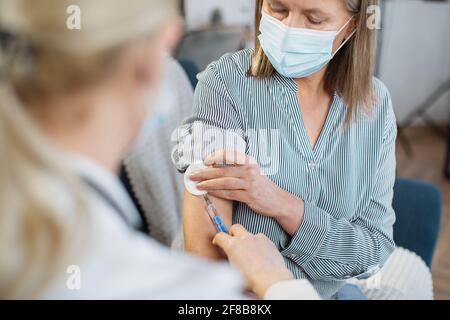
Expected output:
(418, 209)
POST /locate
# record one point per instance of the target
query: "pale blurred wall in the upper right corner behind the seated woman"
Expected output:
(415, 55)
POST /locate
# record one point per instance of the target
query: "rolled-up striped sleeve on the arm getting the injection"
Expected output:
(215, 124)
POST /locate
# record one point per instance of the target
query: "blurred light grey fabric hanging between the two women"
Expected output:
(156, 183)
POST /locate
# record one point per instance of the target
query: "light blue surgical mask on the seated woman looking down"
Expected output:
(297, 52)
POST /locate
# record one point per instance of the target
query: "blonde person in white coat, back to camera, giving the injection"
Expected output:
(71, 103)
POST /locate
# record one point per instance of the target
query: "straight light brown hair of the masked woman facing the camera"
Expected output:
(350, 72)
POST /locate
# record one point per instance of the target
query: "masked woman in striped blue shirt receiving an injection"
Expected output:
(312, 165)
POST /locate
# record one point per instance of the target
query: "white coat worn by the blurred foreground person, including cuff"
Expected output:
(118, 262)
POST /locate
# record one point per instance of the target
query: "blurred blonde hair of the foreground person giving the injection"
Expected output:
(41, 59)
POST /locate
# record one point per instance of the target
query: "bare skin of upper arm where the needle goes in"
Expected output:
(197, 227)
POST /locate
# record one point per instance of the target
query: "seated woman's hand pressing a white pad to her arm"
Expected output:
(242, 181)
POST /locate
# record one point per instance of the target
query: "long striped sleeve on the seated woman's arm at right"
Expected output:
(327, 248)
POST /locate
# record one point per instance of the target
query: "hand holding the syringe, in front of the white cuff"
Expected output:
(255, 256)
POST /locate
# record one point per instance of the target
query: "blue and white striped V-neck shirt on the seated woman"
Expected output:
(346, 180)
